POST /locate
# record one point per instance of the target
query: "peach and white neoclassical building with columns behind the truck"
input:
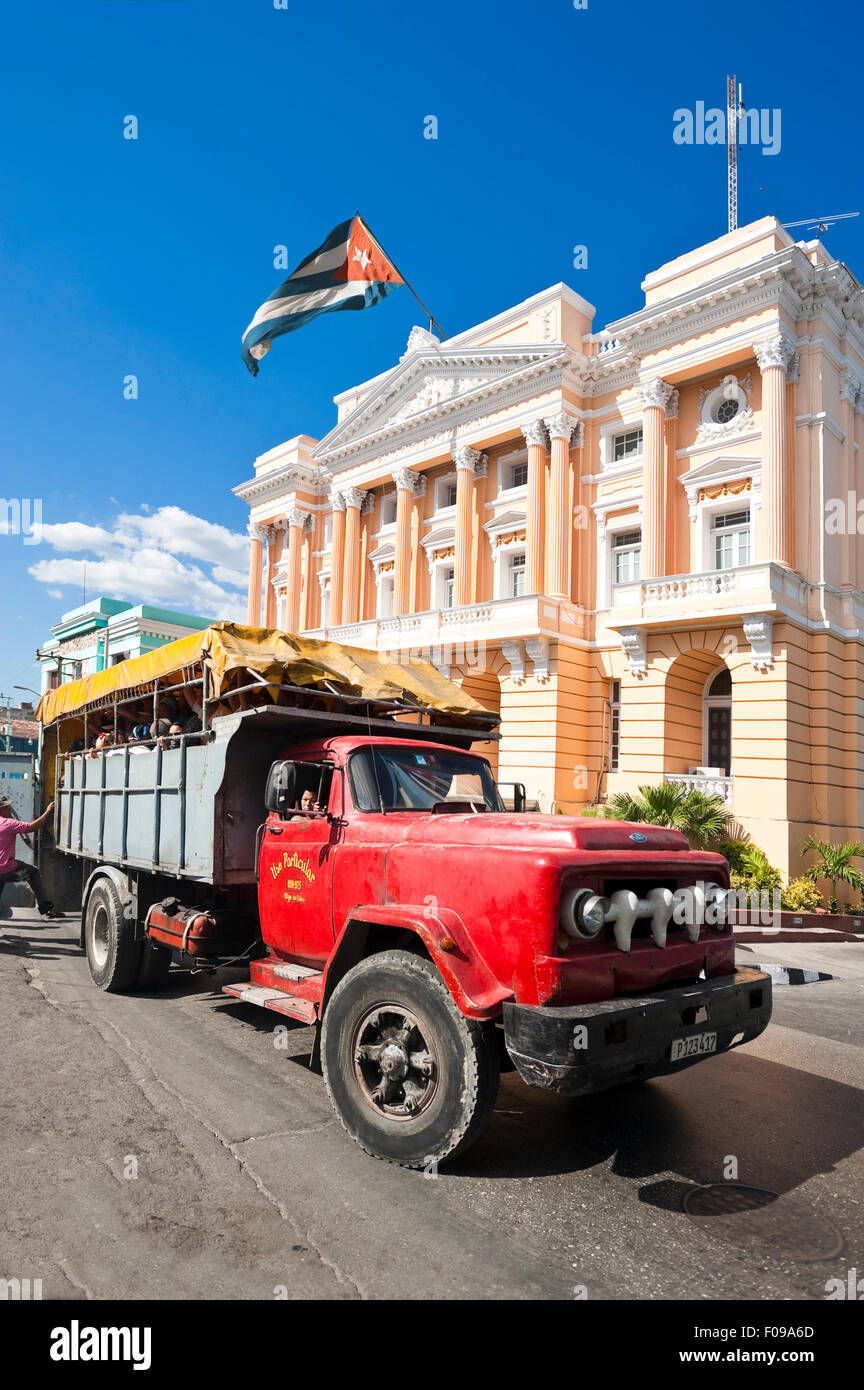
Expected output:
(638, 544)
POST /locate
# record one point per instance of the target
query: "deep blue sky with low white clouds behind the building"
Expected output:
(263, 127)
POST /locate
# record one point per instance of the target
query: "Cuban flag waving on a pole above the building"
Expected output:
(348, 272)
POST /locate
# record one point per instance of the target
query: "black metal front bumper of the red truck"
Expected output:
(587, 1047)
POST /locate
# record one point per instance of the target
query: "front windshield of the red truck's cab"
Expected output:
(412, 779)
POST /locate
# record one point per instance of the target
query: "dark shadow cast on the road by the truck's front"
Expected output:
(737, 1106)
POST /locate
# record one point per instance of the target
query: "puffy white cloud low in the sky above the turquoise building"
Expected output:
(140, 559)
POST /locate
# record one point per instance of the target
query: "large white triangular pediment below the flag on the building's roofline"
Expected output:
(434, 387)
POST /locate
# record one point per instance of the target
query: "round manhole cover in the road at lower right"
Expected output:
(745, 1216)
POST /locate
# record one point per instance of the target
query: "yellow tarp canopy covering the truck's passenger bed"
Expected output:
(231, 651)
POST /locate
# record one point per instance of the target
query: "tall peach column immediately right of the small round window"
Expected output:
(774, 357)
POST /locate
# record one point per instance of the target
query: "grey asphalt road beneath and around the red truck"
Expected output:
(163, 1146)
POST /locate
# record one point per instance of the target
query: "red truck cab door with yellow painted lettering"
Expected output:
(297, 872)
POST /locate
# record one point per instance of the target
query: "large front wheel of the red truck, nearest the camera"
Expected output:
(410, 1078)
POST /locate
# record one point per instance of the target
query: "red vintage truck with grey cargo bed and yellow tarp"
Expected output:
(333, 829)
